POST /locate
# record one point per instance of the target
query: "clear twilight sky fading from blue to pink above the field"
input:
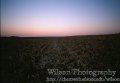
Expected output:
(59, 17)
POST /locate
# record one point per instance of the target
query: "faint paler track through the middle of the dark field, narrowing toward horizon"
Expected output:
(51, 57)
